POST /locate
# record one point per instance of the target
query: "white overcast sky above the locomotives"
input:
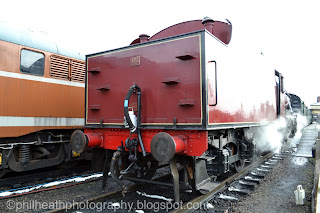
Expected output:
(287, 32)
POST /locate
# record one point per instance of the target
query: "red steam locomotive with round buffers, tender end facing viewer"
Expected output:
(182, 95)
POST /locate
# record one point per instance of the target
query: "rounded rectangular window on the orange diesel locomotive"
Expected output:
(32, 62)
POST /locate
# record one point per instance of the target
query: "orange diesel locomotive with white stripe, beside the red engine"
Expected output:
(42, 96)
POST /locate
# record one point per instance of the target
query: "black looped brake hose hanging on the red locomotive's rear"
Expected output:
(126, 114)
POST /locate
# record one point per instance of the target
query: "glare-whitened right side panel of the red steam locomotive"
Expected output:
(241, 88)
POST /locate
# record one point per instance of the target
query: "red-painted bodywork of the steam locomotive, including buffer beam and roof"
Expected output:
(190, 84)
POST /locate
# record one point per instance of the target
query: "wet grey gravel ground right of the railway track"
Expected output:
(276, 192)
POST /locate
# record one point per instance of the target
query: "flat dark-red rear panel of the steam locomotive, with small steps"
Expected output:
(148, 66)
